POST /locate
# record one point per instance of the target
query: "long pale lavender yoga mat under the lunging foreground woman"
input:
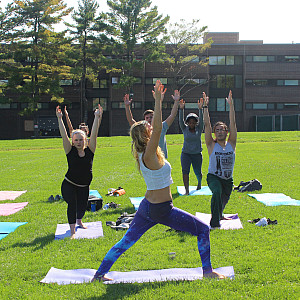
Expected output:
(85, 275)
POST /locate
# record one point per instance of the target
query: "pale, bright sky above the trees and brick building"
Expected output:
(267, 20)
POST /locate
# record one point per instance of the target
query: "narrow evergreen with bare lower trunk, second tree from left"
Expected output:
(88, 38)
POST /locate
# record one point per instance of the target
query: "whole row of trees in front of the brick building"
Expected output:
(35, 56)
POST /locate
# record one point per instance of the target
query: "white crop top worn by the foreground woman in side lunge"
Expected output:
(156, 179)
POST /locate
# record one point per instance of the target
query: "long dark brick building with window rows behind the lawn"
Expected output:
(264, 79)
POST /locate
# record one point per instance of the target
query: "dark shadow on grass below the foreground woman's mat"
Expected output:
(126, 290)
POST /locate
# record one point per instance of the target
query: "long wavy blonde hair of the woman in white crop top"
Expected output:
(140, 134)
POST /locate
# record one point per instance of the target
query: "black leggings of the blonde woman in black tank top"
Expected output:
(77, 198)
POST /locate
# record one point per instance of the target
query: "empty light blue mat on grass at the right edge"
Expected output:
(275, 199)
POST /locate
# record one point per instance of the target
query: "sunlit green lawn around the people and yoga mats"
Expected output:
(265, 260)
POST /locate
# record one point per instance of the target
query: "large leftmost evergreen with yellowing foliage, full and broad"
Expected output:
(36, 60)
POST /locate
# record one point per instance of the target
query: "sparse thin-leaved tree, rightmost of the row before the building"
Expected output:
(183, 51)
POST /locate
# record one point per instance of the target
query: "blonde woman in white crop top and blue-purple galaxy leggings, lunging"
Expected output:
(157, 206)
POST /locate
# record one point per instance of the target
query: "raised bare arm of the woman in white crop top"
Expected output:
(150, 156)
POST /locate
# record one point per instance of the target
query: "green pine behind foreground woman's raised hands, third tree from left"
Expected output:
(135, 27)
